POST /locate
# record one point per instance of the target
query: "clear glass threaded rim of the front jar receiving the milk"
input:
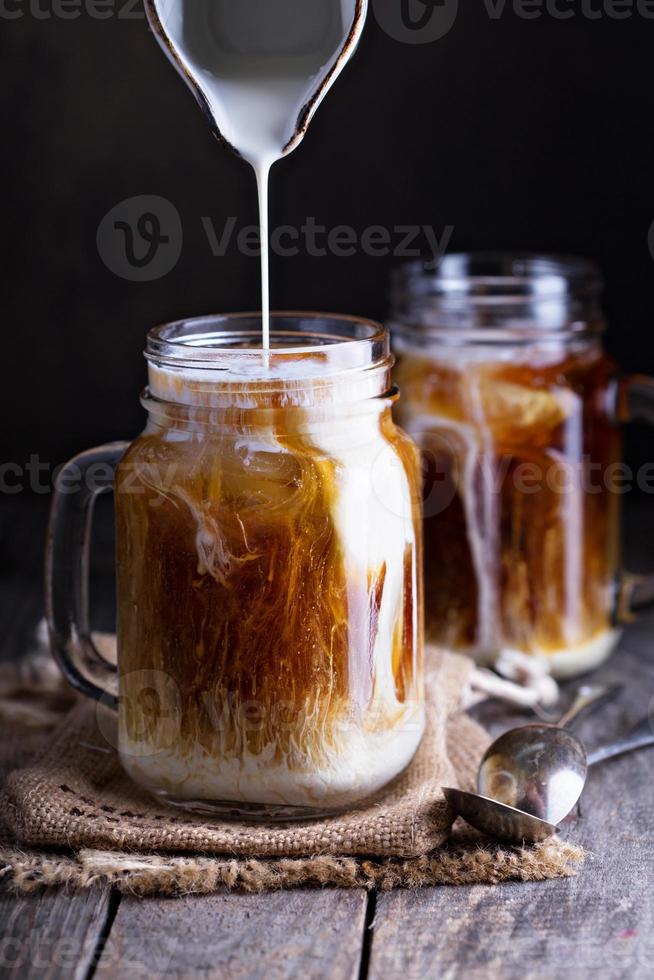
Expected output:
(314, 357)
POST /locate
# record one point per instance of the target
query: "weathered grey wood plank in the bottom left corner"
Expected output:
(51, 934)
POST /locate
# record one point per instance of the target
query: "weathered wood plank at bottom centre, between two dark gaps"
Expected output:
(310, 934)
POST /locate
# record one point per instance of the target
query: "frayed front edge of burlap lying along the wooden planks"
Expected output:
(148, 875)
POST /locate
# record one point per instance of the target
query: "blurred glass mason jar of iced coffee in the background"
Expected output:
(516, 407)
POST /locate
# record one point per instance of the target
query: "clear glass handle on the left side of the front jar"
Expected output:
(78, 485)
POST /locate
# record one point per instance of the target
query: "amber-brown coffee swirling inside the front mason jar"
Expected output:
(237, 594)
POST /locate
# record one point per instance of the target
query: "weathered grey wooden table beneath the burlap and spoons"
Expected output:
(598, 924)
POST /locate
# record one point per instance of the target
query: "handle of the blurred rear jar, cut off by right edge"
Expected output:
(635, 404)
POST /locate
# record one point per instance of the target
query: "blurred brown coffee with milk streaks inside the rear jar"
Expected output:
(521, 530)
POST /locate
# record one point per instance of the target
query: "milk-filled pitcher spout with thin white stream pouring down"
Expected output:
(259, 68)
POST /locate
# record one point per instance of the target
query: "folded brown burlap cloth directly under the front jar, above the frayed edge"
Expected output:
(75, 797)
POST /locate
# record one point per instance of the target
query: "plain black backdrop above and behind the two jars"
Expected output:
(520, 133)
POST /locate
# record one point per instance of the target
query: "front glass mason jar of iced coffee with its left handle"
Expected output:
(268, 571)
